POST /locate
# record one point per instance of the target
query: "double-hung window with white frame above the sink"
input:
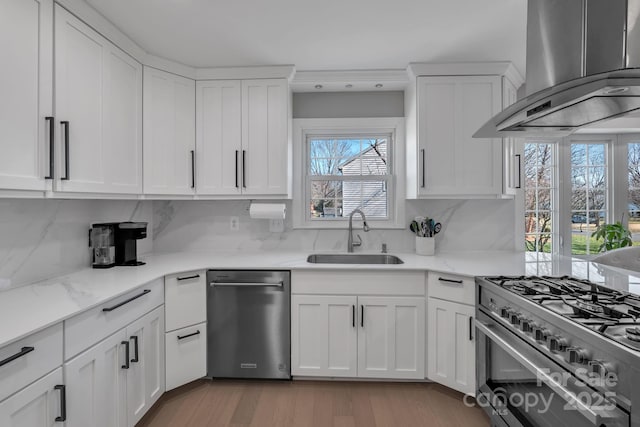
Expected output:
(347, 164)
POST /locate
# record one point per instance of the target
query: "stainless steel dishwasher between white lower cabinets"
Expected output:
(248, 314)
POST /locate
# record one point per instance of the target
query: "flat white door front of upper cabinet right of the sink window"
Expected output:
(452, 162)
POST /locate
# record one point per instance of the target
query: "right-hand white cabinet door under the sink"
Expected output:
(391, 337)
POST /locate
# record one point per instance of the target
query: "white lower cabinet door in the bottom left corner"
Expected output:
(38, 405)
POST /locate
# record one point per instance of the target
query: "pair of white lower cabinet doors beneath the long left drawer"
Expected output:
(116, 381)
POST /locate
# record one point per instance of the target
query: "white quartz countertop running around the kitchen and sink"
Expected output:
(27, 309)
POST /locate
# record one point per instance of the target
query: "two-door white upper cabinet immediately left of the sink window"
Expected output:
(242, 137)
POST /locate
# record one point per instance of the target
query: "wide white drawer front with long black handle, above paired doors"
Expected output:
(86, 329)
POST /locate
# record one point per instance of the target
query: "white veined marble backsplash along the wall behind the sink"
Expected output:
(468, 225)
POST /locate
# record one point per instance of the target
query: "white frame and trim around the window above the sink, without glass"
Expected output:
(339, 127)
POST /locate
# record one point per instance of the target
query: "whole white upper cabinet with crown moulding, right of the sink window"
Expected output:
(444, 111)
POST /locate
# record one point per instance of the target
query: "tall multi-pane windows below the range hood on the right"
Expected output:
(575, 184)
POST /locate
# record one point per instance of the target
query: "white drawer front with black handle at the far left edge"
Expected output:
(32, 357)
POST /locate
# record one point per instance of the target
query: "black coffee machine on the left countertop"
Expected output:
(114, 243)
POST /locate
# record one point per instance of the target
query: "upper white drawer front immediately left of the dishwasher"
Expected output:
(185, 299)
